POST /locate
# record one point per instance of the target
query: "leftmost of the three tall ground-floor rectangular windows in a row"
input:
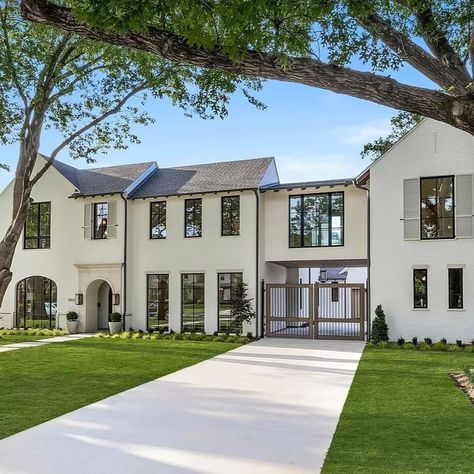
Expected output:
(158, 302)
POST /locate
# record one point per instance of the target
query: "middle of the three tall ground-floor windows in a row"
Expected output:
(192, 302)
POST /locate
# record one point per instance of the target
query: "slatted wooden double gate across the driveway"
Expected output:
(319, 311)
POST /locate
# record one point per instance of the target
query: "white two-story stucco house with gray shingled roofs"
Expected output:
(166, 246)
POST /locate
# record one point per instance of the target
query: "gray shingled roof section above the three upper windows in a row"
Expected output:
(211, 177)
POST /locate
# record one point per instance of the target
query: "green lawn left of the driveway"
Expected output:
(44, 382)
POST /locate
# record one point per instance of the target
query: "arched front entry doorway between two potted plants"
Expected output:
(98, 305)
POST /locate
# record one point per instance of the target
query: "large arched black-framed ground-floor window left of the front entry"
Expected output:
(36, 302)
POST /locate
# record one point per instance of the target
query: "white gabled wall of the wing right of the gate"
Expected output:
(431, 149)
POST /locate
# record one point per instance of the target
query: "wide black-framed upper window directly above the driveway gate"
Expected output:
(316, 220)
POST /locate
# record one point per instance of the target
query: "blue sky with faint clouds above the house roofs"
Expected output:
(313, 134)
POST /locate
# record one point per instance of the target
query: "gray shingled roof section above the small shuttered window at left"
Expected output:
(110, 179)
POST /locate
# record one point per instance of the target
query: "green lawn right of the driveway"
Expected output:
(404, 414)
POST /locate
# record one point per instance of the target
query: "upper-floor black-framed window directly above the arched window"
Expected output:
(37, 232)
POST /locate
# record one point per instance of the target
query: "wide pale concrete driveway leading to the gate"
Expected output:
(267, 407)
